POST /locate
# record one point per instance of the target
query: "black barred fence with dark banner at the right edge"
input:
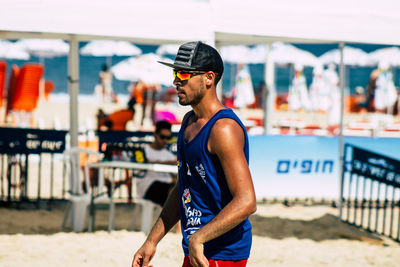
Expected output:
(371, 192)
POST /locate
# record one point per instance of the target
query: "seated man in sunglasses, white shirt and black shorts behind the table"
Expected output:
(155, 186)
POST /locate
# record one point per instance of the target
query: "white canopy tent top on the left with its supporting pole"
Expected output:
(148, 22)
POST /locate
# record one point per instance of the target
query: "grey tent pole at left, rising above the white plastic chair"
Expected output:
(73, 85)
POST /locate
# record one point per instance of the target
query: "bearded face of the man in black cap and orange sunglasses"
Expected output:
(191, 91)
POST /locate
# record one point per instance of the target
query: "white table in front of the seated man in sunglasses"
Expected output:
(101, 165)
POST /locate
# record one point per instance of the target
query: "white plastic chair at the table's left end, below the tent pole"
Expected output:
(79, 199)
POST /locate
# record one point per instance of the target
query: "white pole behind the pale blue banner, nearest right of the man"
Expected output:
(269, 98)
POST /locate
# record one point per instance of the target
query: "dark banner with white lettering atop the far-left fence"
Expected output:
(31, 141)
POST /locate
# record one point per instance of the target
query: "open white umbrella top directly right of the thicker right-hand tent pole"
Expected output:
(283, 53)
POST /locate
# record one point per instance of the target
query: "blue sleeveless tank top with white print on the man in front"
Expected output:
(204, 192)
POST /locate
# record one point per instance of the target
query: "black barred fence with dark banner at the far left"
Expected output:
(26, 157)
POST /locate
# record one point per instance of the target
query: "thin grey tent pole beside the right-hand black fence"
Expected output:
(341, 148)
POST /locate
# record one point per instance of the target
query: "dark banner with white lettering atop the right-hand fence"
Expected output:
(375, 166)
